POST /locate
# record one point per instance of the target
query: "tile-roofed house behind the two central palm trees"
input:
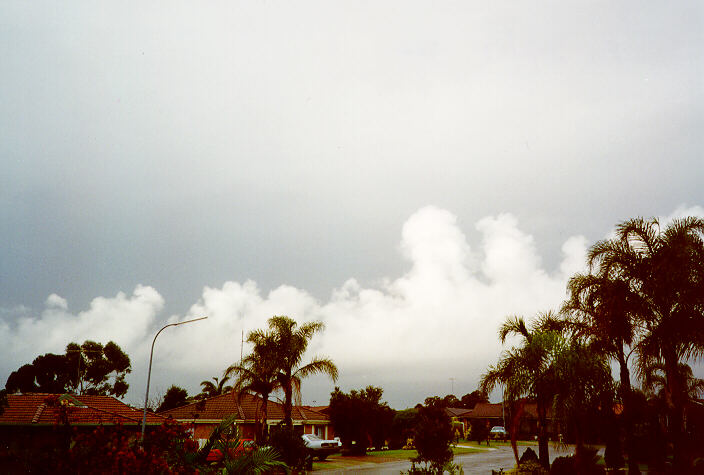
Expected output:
(204, 416)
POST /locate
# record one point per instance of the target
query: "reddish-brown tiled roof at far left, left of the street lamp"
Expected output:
(35, 409)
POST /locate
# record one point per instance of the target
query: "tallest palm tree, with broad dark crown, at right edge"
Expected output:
(665, 269)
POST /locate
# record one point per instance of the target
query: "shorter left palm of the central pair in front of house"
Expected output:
(258, 373)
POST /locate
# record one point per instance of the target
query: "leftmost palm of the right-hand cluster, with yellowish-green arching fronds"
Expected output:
(526, 371)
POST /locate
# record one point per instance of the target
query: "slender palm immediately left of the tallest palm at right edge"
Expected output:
(604, 312)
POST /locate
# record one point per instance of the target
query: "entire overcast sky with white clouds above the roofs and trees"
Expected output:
(409, 173)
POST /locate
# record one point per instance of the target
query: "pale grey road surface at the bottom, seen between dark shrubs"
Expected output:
(476, 463)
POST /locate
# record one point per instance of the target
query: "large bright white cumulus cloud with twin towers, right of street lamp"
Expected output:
(438, 320)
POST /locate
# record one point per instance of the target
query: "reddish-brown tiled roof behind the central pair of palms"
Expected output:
(247, 408)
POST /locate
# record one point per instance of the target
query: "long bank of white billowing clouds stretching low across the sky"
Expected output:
(408, 334)
